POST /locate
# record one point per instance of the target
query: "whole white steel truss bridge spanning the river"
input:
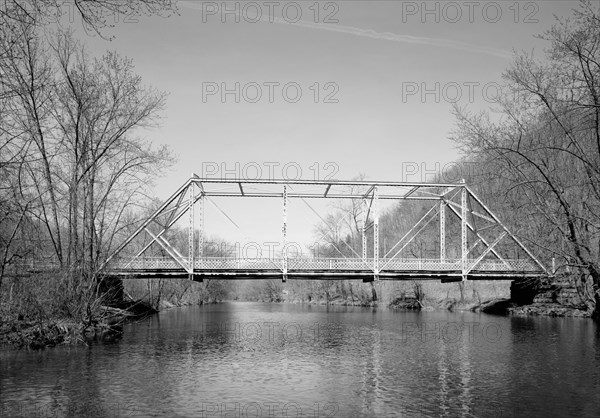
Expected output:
(455, 215)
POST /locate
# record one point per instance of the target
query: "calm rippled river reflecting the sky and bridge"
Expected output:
(243, 359)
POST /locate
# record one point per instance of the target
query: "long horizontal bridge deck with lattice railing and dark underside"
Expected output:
(331, 268)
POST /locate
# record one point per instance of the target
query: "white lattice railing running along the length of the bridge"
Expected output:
(322, 264)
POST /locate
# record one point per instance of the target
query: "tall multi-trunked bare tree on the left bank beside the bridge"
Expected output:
(77, 164)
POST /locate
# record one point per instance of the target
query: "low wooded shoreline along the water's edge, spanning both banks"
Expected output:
(20, 333)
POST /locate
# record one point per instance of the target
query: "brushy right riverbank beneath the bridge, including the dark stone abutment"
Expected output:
(556, 298)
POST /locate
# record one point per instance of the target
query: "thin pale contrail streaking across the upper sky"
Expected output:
(388, 36)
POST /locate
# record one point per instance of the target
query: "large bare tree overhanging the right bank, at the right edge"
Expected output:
(547, 144)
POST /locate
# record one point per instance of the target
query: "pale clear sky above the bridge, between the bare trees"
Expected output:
(318, 90)
